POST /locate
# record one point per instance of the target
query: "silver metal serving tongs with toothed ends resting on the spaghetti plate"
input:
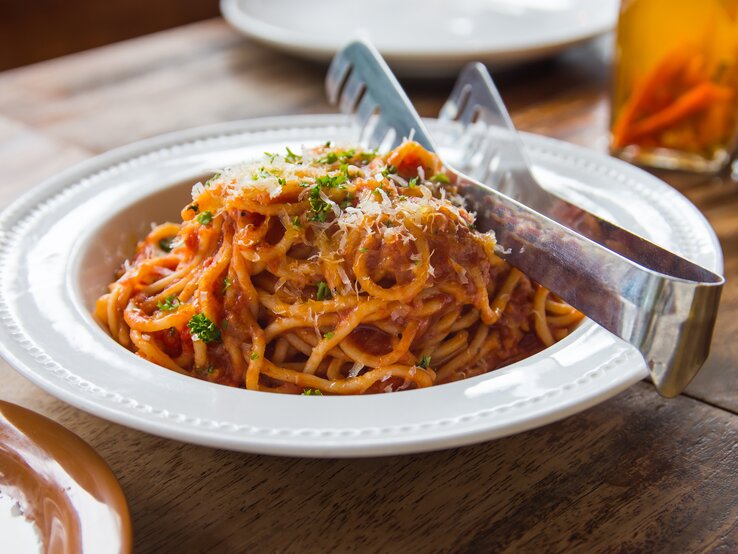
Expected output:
(661, 303)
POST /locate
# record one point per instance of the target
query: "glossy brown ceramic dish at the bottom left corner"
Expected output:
(63, 485)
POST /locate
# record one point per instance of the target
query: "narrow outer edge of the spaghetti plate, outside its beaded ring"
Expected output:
(405, 443)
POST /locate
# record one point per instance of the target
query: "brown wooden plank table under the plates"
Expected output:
(636, 473)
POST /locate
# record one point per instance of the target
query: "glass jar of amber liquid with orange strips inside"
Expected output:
(675, 99)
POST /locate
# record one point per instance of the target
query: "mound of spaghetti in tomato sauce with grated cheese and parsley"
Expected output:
(336, 271)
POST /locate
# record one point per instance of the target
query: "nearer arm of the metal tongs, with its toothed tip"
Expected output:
(666, 309)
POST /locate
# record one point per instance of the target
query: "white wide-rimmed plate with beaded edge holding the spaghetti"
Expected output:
(63, 239)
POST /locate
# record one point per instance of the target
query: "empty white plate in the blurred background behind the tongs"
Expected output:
(428, 37)
